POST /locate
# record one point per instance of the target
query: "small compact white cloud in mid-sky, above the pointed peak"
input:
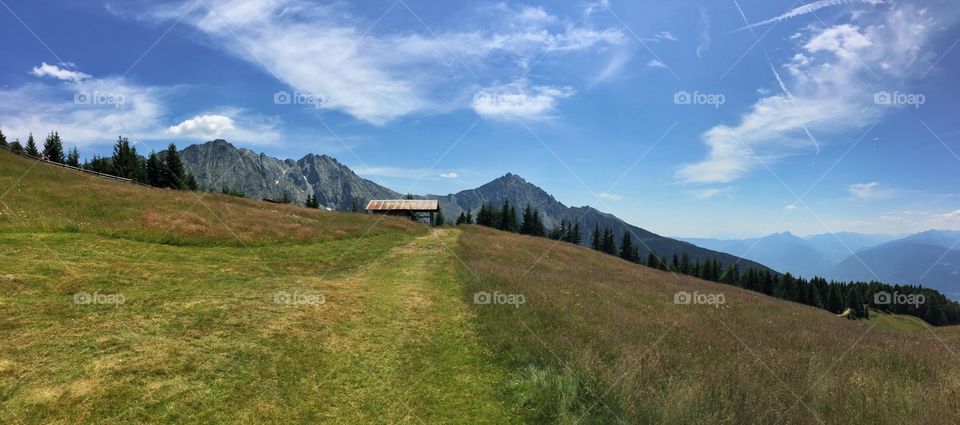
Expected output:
(518, 100)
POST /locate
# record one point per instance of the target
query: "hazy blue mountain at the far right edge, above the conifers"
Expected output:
(923, 258)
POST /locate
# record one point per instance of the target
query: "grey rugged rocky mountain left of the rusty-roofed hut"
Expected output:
(219, 164)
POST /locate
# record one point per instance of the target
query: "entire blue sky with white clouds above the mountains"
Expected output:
(697, 119)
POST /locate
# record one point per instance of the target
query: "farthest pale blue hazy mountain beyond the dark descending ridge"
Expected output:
(785, 252)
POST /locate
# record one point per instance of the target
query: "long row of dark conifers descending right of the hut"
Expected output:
(854, 299)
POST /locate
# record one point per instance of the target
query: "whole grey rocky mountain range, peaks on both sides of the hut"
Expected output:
(218, 164)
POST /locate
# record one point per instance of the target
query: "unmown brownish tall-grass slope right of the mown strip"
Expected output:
(601, 340)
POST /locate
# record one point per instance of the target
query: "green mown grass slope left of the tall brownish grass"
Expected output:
(199, 338)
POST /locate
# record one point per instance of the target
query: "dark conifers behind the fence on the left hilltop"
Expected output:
(159, 169)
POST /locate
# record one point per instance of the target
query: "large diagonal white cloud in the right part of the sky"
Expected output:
(830, 90)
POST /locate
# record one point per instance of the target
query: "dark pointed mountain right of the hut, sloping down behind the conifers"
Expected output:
(520, 193)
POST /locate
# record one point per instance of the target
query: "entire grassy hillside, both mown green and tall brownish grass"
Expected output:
(378, 322)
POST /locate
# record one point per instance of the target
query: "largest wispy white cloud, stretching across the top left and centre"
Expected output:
(375, 76)
